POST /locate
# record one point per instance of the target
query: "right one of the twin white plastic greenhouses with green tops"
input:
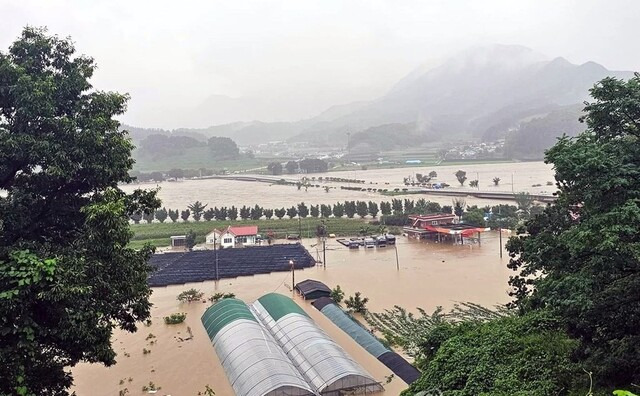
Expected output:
(324, 364)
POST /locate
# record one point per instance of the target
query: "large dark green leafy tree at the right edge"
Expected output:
(586, 243)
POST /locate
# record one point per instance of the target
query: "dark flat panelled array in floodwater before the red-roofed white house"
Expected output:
(199, 266)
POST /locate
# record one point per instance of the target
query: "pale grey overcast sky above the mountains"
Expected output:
(287, 60)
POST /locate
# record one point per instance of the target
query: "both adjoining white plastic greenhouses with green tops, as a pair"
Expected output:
(274, 348)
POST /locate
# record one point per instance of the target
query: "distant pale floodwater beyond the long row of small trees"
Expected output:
(216, 192)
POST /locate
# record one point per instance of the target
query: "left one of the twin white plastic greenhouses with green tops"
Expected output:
(251, 358)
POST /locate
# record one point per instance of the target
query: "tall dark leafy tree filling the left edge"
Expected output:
(67, 277)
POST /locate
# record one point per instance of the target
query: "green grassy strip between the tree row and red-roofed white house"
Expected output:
(158, 234)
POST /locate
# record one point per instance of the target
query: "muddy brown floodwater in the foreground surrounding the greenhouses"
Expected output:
(428, 275)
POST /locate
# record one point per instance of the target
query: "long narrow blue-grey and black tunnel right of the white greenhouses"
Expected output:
(368, 341)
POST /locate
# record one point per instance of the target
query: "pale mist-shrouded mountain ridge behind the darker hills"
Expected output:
(481, 93)
